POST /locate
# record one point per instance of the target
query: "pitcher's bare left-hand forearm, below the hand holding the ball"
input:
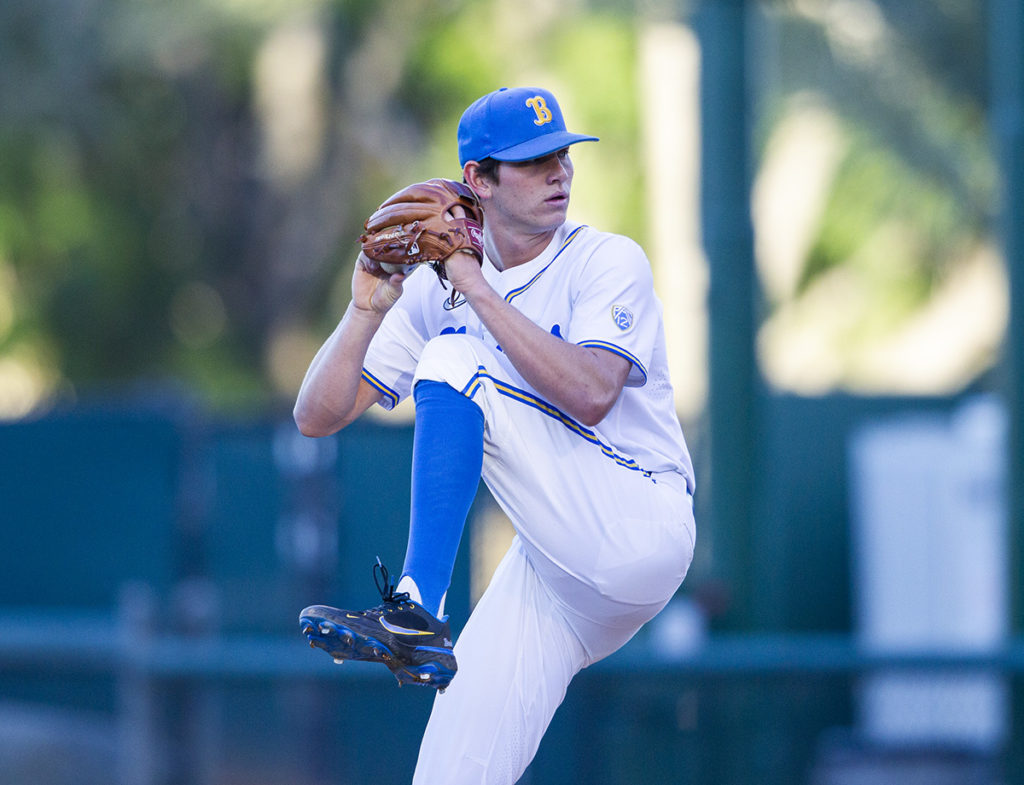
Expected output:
(329, 399)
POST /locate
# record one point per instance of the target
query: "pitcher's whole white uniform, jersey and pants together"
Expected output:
(604, 515)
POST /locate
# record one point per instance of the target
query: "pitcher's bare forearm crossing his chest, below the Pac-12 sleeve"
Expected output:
(584, 383)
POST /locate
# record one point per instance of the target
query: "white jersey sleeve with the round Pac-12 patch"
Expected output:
(615, 307)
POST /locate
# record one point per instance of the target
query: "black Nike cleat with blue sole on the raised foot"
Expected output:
(402, 634)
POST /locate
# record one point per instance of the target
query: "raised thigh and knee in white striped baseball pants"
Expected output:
(587, 514)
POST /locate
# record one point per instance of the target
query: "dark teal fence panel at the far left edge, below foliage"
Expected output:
(88, 501)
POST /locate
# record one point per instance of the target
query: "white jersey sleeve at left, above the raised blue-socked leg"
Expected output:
(396, 350)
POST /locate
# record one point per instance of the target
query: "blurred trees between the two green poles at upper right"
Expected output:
(908, 215)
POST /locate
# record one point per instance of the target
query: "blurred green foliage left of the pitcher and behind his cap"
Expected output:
(145, 231)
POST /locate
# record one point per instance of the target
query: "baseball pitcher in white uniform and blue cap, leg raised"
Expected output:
(537, 361)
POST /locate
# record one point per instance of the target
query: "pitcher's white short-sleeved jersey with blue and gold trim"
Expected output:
(591, 288)
